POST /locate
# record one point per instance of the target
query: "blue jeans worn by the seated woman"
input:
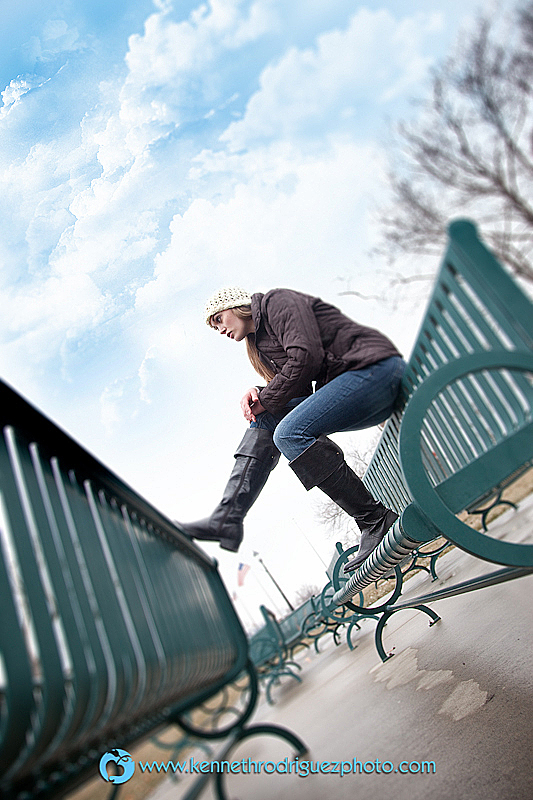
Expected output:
(354, 400)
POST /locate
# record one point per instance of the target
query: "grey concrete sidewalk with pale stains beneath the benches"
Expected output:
(459, 694)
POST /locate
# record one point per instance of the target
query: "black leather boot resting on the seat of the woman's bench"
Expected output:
(323, 465)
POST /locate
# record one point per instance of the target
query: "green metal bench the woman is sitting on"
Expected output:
(463, 429)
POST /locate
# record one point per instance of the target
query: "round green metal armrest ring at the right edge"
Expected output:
(425, 496)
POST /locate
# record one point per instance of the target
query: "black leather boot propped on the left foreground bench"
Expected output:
(255, 458)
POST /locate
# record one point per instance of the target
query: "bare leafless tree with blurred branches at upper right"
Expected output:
(470, 152)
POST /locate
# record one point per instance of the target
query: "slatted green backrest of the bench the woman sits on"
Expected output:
(475, 307)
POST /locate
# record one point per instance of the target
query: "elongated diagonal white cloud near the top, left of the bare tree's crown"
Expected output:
(310, 91)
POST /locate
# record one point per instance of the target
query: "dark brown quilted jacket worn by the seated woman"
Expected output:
(303, 339)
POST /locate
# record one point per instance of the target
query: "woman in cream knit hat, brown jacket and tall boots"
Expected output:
(293, 341)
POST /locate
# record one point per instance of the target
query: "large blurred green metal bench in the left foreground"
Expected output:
(113, 623)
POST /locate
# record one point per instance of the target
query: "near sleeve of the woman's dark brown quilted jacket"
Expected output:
(291, 319)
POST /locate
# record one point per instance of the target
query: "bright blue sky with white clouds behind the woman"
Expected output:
(154, 152)
